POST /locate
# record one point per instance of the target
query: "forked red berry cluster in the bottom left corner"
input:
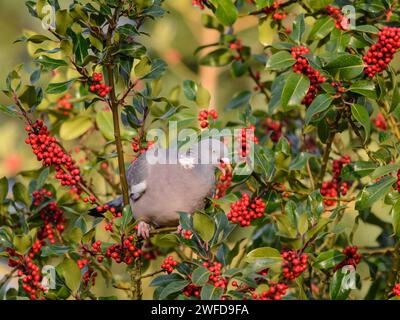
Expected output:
(28, 271)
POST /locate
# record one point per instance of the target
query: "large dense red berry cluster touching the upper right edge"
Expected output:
(381, 53)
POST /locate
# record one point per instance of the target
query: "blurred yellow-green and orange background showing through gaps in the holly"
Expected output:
(174, 38)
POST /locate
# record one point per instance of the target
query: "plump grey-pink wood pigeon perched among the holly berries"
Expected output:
(163, 182)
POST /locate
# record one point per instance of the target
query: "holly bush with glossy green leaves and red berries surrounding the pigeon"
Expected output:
(324, 107)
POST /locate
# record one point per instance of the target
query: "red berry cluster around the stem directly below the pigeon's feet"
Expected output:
(126, 251)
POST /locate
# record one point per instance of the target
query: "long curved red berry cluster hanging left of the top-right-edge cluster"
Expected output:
(302, 66)
